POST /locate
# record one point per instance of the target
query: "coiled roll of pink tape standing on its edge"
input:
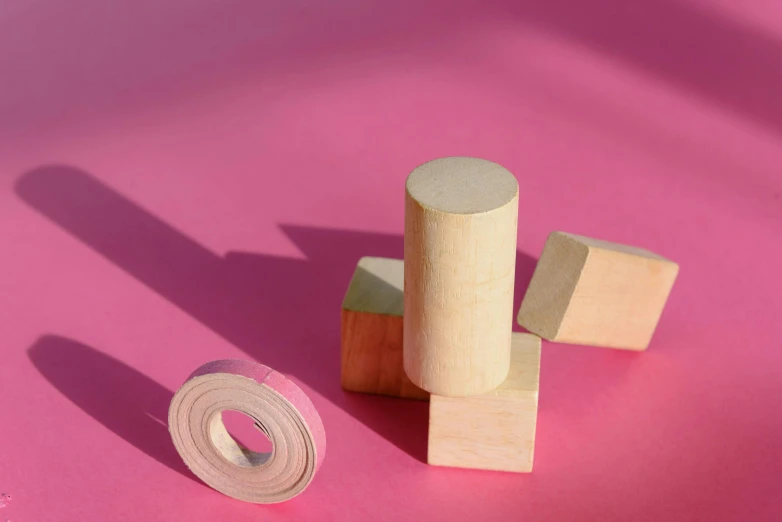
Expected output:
(279, 408)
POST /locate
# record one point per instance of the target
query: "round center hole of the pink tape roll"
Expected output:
(241, 439)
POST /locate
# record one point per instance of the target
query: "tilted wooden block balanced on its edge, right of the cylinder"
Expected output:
(588, 291)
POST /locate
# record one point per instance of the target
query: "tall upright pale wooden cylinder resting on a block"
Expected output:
(461, 217)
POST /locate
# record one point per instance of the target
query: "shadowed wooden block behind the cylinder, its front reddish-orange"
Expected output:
(372, 331)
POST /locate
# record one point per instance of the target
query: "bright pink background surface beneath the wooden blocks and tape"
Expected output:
(185, 181)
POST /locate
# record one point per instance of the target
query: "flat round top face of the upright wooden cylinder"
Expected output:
(462, 185)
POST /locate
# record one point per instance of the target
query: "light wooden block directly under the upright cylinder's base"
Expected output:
(495, 430)
